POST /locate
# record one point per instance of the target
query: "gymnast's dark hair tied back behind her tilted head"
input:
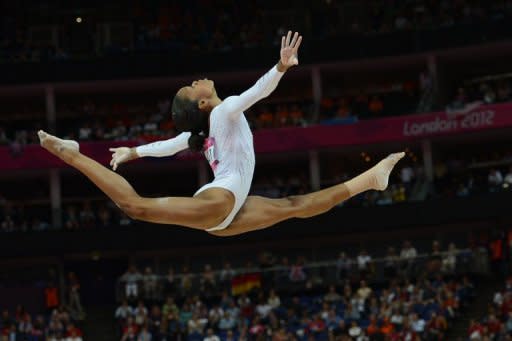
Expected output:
(188, 117)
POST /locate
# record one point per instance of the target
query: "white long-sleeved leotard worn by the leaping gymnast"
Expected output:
(229, 147)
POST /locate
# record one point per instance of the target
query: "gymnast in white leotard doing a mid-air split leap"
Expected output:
(220, 130)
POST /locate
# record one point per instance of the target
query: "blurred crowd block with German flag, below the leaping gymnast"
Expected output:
(414, 297)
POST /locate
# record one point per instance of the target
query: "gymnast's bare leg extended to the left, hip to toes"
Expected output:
(206, 210)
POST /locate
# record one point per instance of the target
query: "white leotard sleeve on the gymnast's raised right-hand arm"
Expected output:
(234, 106)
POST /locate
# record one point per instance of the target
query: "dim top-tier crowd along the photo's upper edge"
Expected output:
(191, 26)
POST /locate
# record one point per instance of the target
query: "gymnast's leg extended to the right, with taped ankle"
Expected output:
(259, 212)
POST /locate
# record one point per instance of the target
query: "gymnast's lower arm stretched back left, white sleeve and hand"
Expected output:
(156, 149)
